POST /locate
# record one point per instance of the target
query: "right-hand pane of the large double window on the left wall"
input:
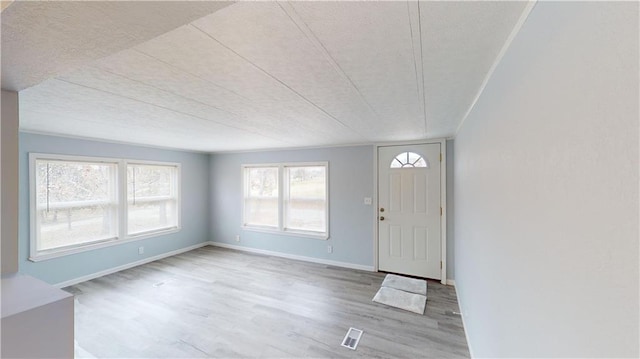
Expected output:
(152, 198)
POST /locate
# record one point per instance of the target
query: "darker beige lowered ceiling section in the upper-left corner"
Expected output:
(41, 39)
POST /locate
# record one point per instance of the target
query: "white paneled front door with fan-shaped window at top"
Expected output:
(409, 210)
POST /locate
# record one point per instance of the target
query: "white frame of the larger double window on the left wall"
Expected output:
(121, 206)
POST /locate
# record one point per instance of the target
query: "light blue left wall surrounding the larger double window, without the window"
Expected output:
(195, 209)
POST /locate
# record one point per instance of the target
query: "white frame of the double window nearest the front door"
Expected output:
(282, 186)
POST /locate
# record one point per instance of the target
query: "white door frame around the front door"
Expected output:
(443, 200)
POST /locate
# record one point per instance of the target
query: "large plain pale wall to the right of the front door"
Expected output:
(546, 190)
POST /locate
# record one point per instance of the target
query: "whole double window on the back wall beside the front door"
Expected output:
(289, 198)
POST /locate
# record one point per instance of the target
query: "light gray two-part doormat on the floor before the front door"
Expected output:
(401, 292)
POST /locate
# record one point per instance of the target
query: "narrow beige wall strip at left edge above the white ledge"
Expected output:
(9, 181)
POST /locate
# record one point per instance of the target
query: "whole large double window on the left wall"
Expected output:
(80, 203)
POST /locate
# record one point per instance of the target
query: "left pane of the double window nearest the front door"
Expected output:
(261, 196)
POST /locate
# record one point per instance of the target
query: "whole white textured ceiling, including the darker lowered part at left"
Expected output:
(252, 75)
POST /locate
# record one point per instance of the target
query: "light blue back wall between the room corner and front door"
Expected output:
(351, 222)
